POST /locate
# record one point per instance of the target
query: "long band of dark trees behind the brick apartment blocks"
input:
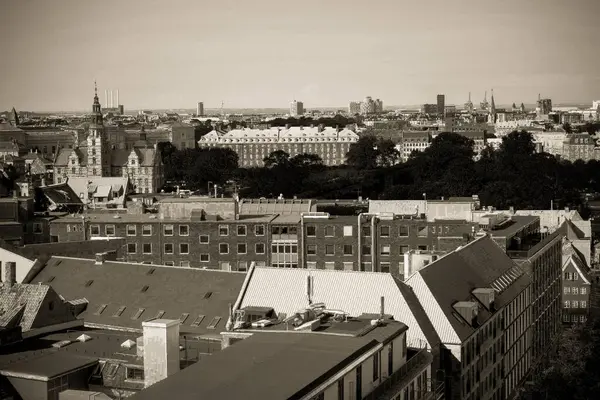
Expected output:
(514, 175)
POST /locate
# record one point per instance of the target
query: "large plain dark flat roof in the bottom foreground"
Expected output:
(252, 368)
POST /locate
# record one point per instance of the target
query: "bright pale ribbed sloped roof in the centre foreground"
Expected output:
(353, 292)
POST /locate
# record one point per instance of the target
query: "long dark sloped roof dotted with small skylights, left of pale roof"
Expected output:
(173, 290)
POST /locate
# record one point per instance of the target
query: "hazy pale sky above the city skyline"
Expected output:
(266, 53)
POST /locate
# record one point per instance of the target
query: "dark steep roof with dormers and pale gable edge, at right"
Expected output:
(452, 278)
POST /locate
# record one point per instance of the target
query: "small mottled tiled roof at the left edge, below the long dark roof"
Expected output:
(22, 295)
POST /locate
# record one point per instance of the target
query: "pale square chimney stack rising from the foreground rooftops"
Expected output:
(161, 349)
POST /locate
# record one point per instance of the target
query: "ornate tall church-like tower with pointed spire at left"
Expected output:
(97, 149)
